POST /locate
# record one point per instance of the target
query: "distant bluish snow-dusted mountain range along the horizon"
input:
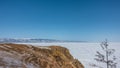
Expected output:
(11, 40)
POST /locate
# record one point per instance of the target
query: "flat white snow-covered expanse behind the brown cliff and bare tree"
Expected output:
(85, 52)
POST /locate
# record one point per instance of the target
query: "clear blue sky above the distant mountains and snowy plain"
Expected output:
(86, 20)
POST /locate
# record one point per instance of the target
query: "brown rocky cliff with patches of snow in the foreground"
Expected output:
(28, 56)
